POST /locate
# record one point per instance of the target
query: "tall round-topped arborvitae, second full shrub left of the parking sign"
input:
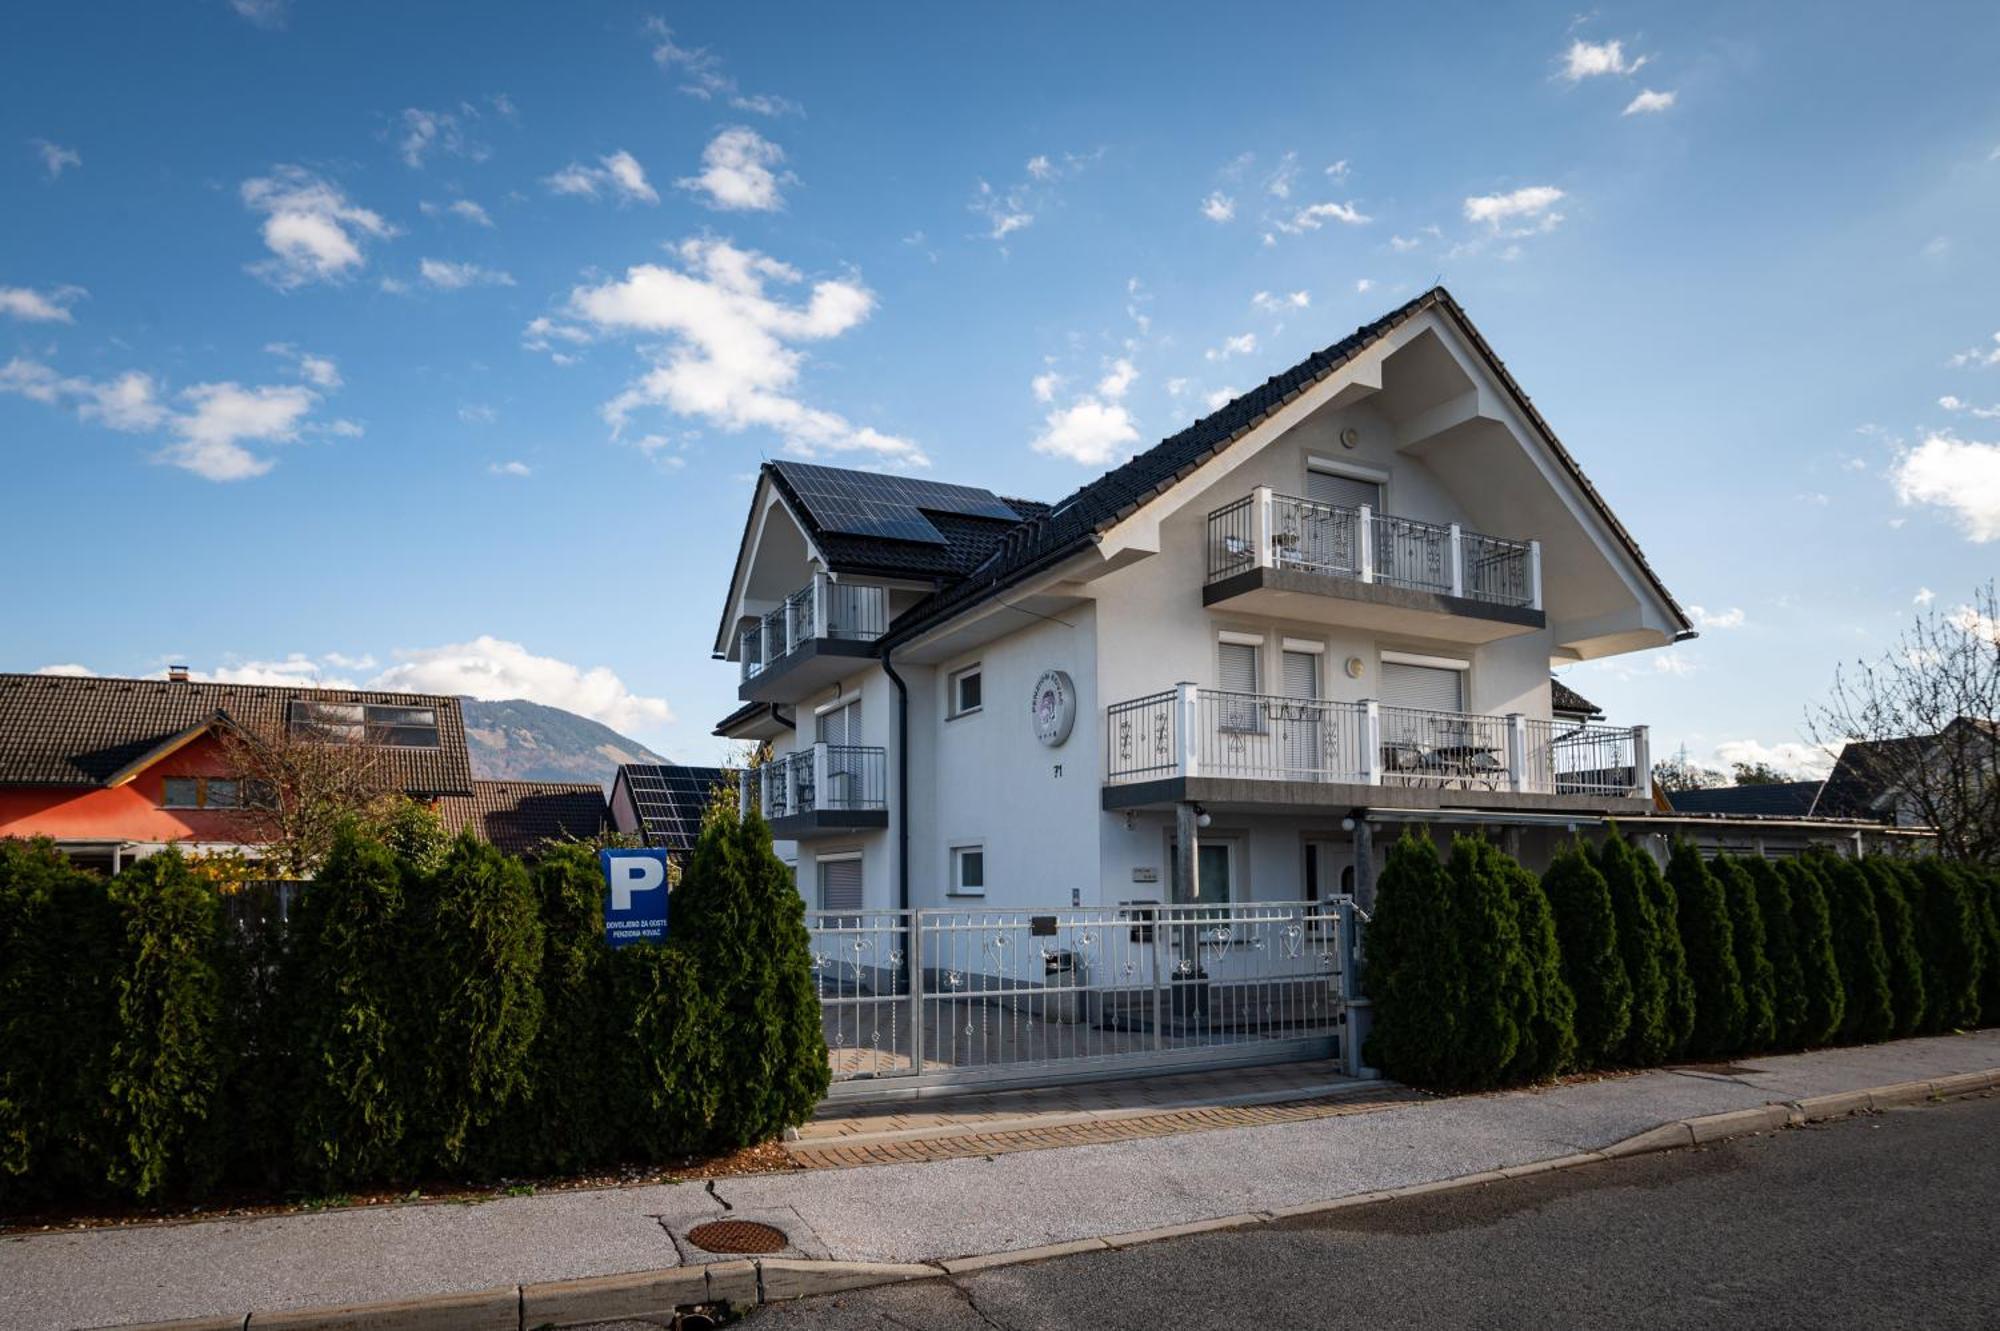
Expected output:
(355, 1004)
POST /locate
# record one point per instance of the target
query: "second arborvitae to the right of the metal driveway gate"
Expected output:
(1499, 990)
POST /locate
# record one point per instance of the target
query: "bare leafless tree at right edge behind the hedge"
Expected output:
(1929, 714)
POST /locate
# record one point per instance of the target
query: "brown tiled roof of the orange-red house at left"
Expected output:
(89, 730)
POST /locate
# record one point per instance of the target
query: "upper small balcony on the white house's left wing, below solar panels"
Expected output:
(811, 641)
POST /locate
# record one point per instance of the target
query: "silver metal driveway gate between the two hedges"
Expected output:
(955, 998)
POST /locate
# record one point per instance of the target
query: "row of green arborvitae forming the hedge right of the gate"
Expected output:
(1483, 978)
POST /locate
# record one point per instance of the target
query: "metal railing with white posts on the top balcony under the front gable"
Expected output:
(1281, 531)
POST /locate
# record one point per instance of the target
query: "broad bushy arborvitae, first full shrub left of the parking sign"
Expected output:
(481, 954)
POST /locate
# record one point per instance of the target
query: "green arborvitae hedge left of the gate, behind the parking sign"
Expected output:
(431, 1012)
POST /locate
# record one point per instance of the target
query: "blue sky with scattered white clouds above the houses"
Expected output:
(437, 347)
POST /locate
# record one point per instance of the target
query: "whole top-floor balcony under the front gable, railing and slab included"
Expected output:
(1287, 557)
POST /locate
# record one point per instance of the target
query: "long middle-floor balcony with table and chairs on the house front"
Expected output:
(1265, 750)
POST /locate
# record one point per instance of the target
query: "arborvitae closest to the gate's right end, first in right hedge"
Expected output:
(1411, 968)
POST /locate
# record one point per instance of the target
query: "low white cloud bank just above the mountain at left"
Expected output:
(493, 668)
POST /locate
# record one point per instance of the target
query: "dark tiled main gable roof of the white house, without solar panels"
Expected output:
(1075, 523)
